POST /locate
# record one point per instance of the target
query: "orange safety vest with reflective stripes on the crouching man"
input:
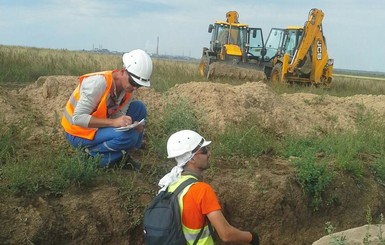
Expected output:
(100, 111)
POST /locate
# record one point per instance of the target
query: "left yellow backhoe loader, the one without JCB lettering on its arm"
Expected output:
(234, 44)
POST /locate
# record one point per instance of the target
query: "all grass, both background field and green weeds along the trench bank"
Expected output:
(52, 169)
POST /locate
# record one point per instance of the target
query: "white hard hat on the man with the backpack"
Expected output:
(184, 141)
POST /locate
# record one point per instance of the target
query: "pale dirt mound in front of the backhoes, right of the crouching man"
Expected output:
(299, 113)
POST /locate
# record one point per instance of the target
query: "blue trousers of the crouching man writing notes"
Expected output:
(109, 144)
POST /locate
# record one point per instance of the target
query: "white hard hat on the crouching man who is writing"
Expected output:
(139, 65)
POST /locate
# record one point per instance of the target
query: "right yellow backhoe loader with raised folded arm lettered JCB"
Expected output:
(299, 54)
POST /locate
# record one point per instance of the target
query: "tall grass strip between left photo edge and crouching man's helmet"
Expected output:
(26, 65)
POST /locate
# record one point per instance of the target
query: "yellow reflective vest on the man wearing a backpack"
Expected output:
(191, 234)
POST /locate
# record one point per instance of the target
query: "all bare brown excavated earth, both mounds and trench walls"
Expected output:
(263, 195)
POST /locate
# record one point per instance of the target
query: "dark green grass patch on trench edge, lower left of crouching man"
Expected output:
(53, 170)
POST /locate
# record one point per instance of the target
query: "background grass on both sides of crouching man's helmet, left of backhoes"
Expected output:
(26, 65)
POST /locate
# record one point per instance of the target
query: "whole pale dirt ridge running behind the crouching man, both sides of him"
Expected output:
(219, 104)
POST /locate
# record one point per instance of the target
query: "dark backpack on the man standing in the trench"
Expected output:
(162, 219)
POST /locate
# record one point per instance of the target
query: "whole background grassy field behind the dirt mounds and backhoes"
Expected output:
(20, 65)
